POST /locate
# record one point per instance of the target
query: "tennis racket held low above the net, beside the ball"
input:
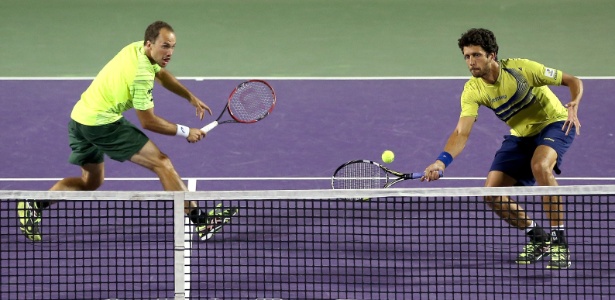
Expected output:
(366, 174)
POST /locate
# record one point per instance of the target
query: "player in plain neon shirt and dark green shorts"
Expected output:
(97, 128)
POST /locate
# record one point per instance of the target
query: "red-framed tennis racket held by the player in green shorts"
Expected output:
(249, 102)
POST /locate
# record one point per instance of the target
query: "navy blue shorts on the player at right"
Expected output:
(515, 156)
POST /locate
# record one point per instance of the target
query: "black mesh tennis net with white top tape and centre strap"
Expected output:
(440, 243)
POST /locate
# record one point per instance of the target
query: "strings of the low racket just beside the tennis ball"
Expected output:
(360, 176)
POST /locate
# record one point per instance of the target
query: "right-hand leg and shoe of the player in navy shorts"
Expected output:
(543, 163)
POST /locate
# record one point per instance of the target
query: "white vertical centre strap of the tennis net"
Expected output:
(178, 245)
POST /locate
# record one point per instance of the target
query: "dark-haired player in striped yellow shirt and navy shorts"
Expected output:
(542, 130)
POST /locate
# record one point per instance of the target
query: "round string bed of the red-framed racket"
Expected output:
(251, 102)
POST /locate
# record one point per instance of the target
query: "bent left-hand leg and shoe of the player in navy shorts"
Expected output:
(513, 214)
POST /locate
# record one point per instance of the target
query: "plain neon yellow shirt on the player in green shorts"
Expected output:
(125, 82)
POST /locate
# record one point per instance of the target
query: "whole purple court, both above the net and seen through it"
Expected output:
(301, 248)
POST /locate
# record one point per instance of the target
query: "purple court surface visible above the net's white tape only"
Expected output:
(316, 126)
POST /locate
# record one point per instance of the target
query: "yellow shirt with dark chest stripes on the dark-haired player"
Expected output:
(520, 97)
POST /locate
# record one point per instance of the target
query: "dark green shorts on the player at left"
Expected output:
(119, 140)
